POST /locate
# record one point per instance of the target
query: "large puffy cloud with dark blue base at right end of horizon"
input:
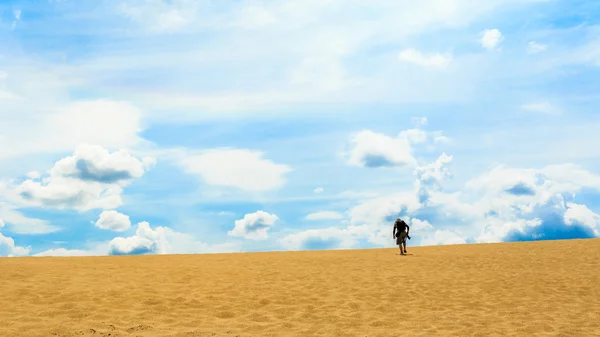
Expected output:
(529, 204)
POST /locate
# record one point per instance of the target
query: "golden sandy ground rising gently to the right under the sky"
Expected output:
(517, 289)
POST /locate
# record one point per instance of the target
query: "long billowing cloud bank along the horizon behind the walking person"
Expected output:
(503, 204)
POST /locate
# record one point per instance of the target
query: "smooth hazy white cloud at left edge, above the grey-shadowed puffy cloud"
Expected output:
(56, 130)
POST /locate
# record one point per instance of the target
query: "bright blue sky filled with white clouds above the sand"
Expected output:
(151, 126)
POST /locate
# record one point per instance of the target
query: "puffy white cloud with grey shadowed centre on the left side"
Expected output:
(90, 178)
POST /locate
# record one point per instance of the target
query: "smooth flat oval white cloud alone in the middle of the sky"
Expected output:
(239, 168)
